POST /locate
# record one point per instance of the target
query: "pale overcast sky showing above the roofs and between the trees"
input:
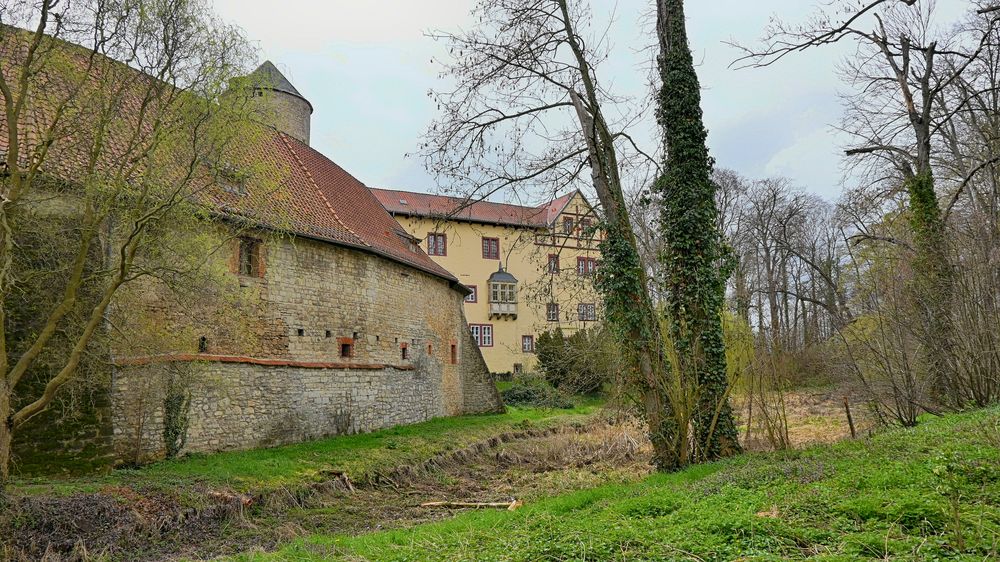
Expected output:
(365, 66)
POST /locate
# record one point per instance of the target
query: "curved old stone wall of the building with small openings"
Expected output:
(410, 358)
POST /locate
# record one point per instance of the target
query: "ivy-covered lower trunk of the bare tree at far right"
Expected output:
(933, 286)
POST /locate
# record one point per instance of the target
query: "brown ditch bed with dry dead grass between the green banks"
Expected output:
(130, 524)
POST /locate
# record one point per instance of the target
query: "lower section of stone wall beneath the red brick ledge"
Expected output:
(240, 406)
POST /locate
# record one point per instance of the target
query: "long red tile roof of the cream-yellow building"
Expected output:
(414, 204)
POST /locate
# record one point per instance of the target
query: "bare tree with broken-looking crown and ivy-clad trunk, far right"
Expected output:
(901, 67)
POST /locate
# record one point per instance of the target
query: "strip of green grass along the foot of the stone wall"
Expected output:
(261, 470)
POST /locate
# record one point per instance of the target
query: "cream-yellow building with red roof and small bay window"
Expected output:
(531, 269)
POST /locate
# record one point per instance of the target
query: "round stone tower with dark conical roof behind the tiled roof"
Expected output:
(289, 111)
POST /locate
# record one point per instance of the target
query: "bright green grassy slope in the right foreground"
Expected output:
(882, 498)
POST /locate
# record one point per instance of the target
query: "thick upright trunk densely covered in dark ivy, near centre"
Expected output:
(693, 253)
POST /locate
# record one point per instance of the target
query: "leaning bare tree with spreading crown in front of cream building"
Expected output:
(528, 112)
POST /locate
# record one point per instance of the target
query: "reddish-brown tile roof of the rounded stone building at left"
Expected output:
(301, 191)
